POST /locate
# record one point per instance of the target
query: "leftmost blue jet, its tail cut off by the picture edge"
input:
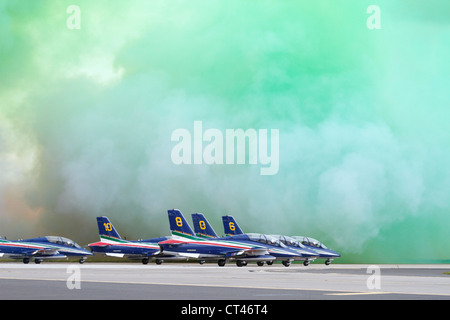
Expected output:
(42, 248)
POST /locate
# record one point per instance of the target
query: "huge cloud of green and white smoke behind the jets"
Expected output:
(86, 117)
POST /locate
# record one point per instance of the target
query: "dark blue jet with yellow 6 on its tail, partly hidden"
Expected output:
(309, 254)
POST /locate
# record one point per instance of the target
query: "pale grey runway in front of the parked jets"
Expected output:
(190, 281)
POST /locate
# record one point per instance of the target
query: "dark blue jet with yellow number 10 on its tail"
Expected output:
(111, 244)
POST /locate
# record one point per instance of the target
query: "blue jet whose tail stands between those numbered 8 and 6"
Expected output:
(275, 248)
